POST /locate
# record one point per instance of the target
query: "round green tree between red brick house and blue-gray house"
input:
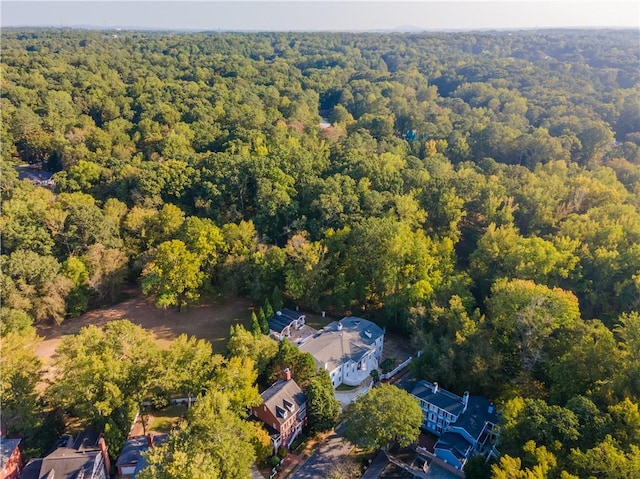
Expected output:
(383, 415)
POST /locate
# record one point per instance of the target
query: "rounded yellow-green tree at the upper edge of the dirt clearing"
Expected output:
(173, 276)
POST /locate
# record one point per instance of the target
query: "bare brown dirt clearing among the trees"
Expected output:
(210, 321)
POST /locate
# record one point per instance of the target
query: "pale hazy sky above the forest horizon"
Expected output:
(309, 15)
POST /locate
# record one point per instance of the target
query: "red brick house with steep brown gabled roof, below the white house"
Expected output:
(283, 410)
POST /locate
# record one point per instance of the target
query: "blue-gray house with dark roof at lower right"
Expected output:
(466, 426)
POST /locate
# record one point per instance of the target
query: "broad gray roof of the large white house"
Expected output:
(333, 347)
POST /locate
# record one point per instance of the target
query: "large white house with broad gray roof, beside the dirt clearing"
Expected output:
(348, 349)
